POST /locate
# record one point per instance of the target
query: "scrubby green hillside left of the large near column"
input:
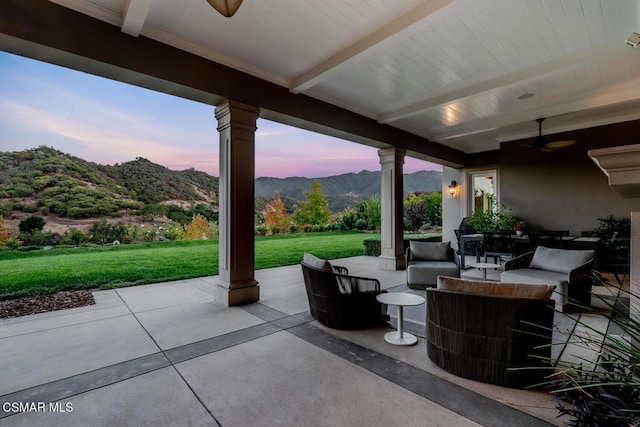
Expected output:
(47, 181)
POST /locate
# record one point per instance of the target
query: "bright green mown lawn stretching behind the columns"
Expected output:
(47, 271)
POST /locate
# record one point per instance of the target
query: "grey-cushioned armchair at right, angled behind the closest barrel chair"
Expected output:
(568, 270)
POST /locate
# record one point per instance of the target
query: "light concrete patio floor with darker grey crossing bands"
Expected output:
(166, 354)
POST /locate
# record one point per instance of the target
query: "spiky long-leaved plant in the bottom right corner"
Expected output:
(605, 392)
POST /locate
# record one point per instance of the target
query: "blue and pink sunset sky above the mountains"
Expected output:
(108, 122)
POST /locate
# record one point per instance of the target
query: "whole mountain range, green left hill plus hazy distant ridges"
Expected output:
(45, 178)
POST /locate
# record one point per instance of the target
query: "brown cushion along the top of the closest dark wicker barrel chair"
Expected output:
(479, 287)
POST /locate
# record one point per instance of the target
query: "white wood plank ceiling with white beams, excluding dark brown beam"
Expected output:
(448, 70)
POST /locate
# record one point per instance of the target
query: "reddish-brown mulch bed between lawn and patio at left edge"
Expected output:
(44, 303)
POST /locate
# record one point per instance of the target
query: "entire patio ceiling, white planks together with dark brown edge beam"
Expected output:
(444, 79)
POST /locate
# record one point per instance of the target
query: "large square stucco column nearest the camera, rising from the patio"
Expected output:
(237, 127)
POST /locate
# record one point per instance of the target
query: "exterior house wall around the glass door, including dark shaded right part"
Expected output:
(560, 190)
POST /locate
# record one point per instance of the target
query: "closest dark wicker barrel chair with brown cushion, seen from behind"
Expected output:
(494, 332)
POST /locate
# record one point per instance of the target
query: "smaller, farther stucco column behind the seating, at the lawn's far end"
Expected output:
(391, 188)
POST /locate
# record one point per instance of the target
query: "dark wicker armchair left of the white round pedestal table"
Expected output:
(339, 300)
